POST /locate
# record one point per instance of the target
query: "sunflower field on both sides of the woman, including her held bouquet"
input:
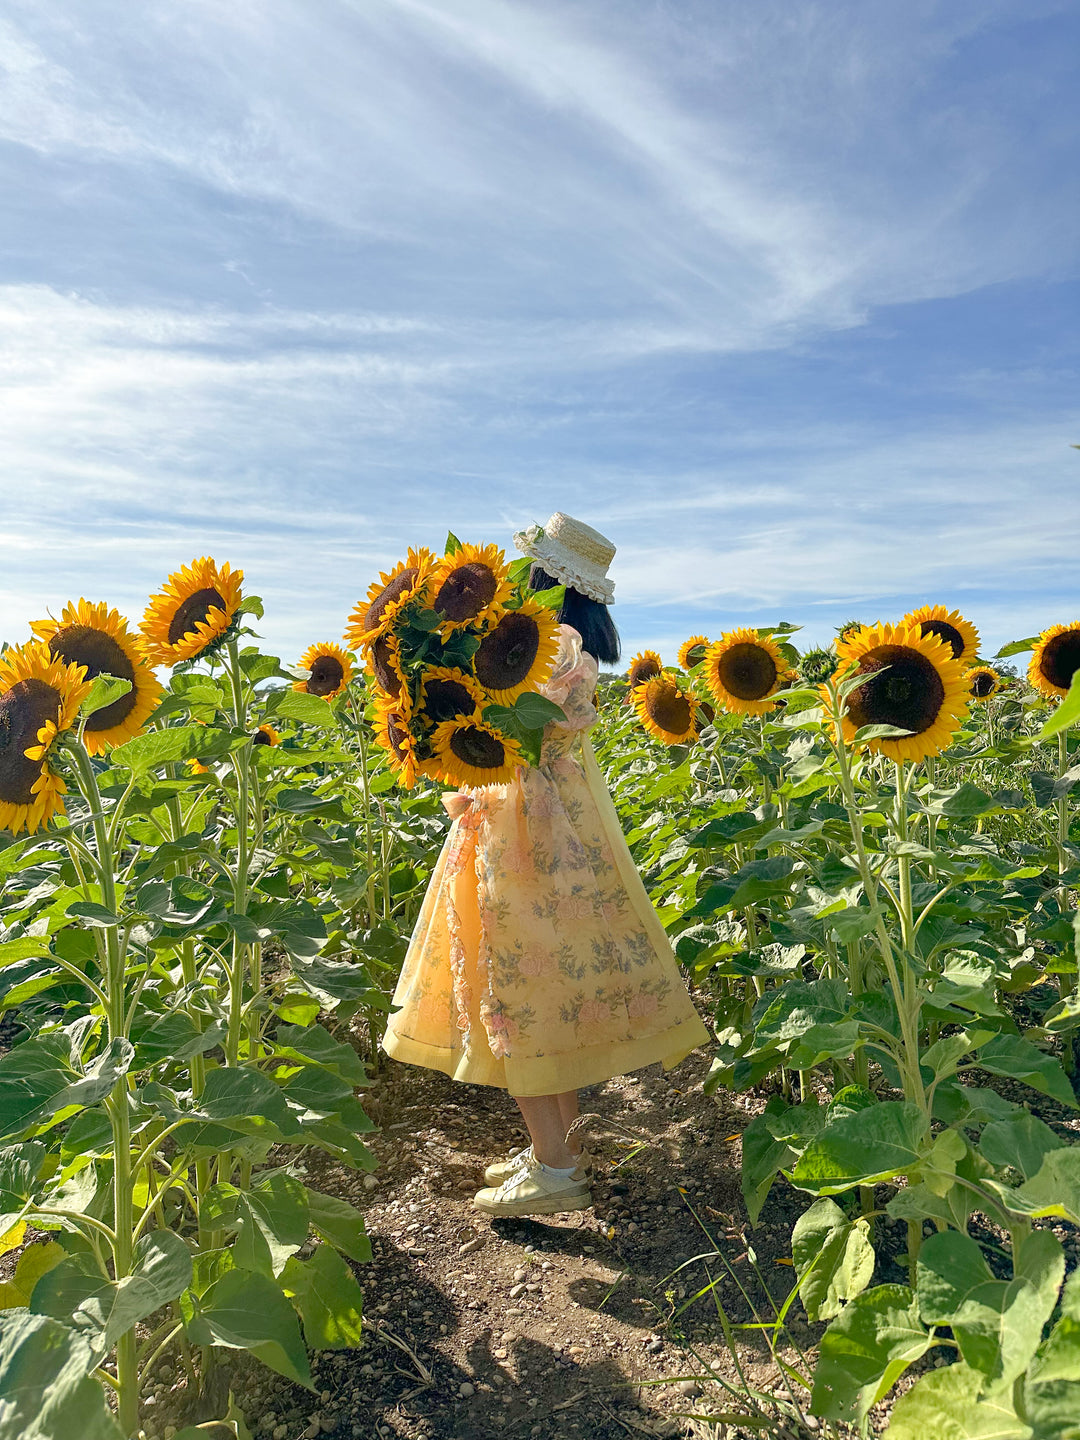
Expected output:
(866, 856)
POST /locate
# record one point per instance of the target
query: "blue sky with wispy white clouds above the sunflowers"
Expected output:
(781, 294)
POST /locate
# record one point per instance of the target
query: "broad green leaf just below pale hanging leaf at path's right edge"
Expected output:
(866, 1350)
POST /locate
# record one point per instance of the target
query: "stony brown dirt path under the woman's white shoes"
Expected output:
(557, 1327)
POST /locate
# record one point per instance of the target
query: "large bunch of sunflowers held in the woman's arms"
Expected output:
(459, 647)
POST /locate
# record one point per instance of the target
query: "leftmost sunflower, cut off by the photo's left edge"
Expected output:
(40, 698)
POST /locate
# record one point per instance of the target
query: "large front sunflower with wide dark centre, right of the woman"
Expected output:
(922, 689)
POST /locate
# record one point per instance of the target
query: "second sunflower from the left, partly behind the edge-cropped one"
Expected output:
(100, 640)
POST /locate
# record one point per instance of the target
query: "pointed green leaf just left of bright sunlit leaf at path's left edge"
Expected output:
(248, 1311)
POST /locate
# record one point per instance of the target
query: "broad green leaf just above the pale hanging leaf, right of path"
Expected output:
(863, 1150)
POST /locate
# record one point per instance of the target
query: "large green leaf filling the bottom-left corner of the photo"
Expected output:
(45, 1386)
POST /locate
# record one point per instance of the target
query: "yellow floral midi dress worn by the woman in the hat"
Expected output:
(538, 963)
